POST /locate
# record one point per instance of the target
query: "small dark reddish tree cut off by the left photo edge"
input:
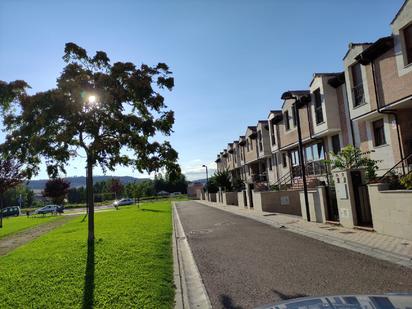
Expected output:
(11, 175)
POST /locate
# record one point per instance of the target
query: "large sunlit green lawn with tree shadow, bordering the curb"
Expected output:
(130, 265)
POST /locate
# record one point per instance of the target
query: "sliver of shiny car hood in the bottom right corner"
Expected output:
(390, 301)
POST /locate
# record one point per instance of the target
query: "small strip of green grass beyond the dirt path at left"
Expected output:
(12, 225)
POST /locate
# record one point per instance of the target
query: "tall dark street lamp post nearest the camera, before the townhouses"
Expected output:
(300, 101)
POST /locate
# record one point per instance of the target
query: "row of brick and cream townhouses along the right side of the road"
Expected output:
(368, 105)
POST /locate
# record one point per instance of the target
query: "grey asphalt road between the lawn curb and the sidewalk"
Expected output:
(245, 263)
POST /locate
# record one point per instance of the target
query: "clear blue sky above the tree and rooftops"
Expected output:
(231, 59)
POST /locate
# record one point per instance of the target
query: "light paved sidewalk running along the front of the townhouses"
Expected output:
(392, 249)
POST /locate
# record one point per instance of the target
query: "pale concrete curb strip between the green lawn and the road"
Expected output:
(190, 290)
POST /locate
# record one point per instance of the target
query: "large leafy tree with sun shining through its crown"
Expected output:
(110, 112)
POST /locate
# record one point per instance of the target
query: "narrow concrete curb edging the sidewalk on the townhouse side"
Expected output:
(346, 244)
